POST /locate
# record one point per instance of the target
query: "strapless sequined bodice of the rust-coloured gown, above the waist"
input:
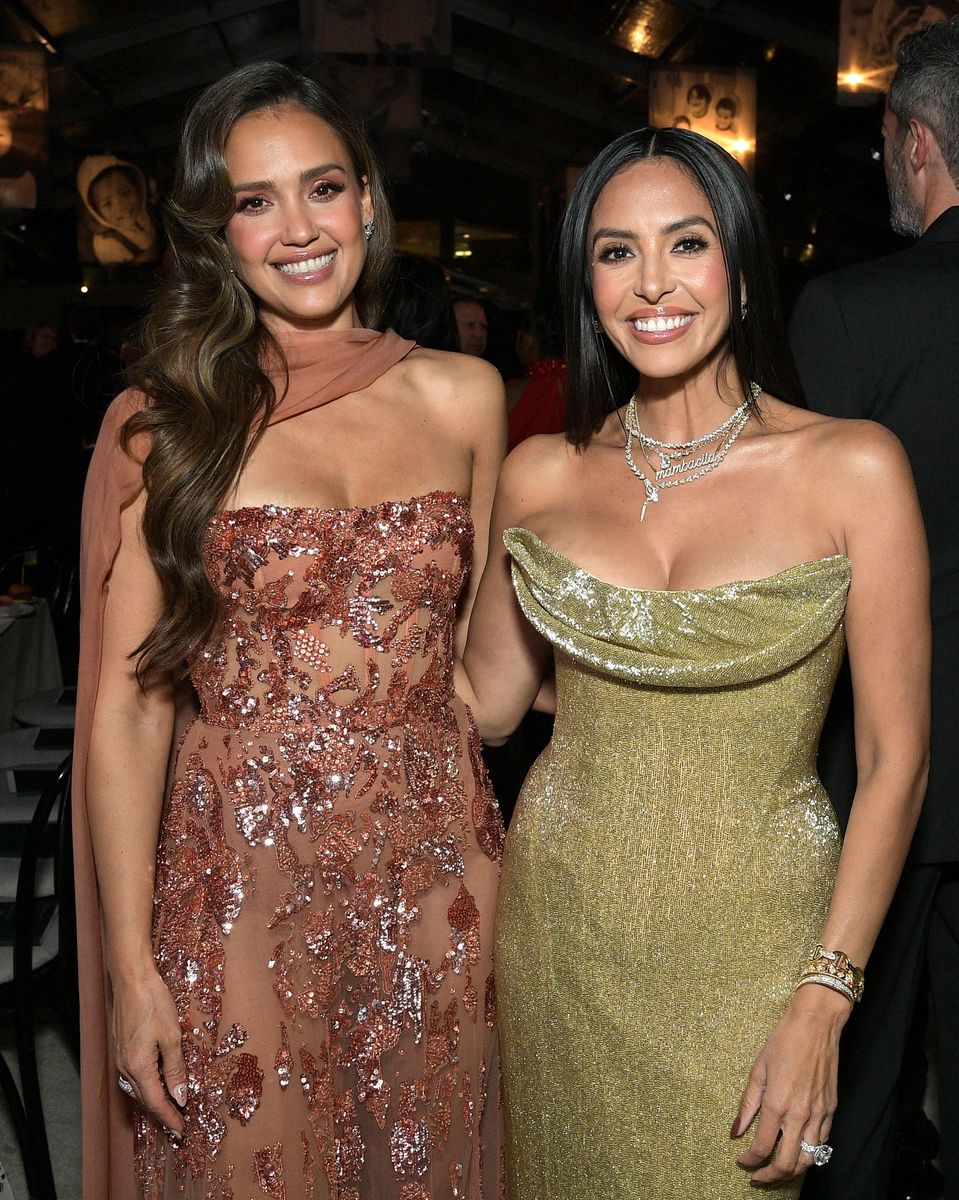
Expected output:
(334, 615)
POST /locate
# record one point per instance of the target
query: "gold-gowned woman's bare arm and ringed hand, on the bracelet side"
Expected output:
(889, 638)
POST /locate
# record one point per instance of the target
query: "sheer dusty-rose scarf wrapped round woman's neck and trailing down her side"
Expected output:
(323, 367)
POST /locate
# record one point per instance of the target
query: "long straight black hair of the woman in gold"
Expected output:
(601, 380)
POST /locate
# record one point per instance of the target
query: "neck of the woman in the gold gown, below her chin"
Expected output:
(685, 407)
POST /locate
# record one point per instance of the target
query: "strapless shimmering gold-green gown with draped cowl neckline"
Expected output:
(668, 869)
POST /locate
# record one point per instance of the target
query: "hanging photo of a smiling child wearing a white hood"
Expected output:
(115, 224)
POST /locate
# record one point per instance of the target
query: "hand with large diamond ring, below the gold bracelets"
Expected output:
(794, 1087)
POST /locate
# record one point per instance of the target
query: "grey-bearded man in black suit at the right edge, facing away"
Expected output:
(882, 341)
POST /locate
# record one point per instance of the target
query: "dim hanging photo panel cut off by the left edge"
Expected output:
(23, 125)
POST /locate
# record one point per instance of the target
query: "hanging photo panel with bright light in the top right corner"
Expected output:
(870, 33)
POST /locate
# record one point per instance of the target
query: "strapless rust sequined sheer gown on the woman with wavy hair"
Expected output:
(327, 873)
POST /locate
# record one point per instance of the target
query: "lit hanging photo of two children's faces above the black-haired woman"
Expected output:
(718, 104)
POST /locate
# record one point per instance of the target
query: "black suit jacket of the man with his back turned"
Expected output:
(882, 341)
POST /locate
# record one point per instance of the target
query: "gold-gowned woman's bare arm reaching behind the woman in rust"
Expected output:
(506, 661)
